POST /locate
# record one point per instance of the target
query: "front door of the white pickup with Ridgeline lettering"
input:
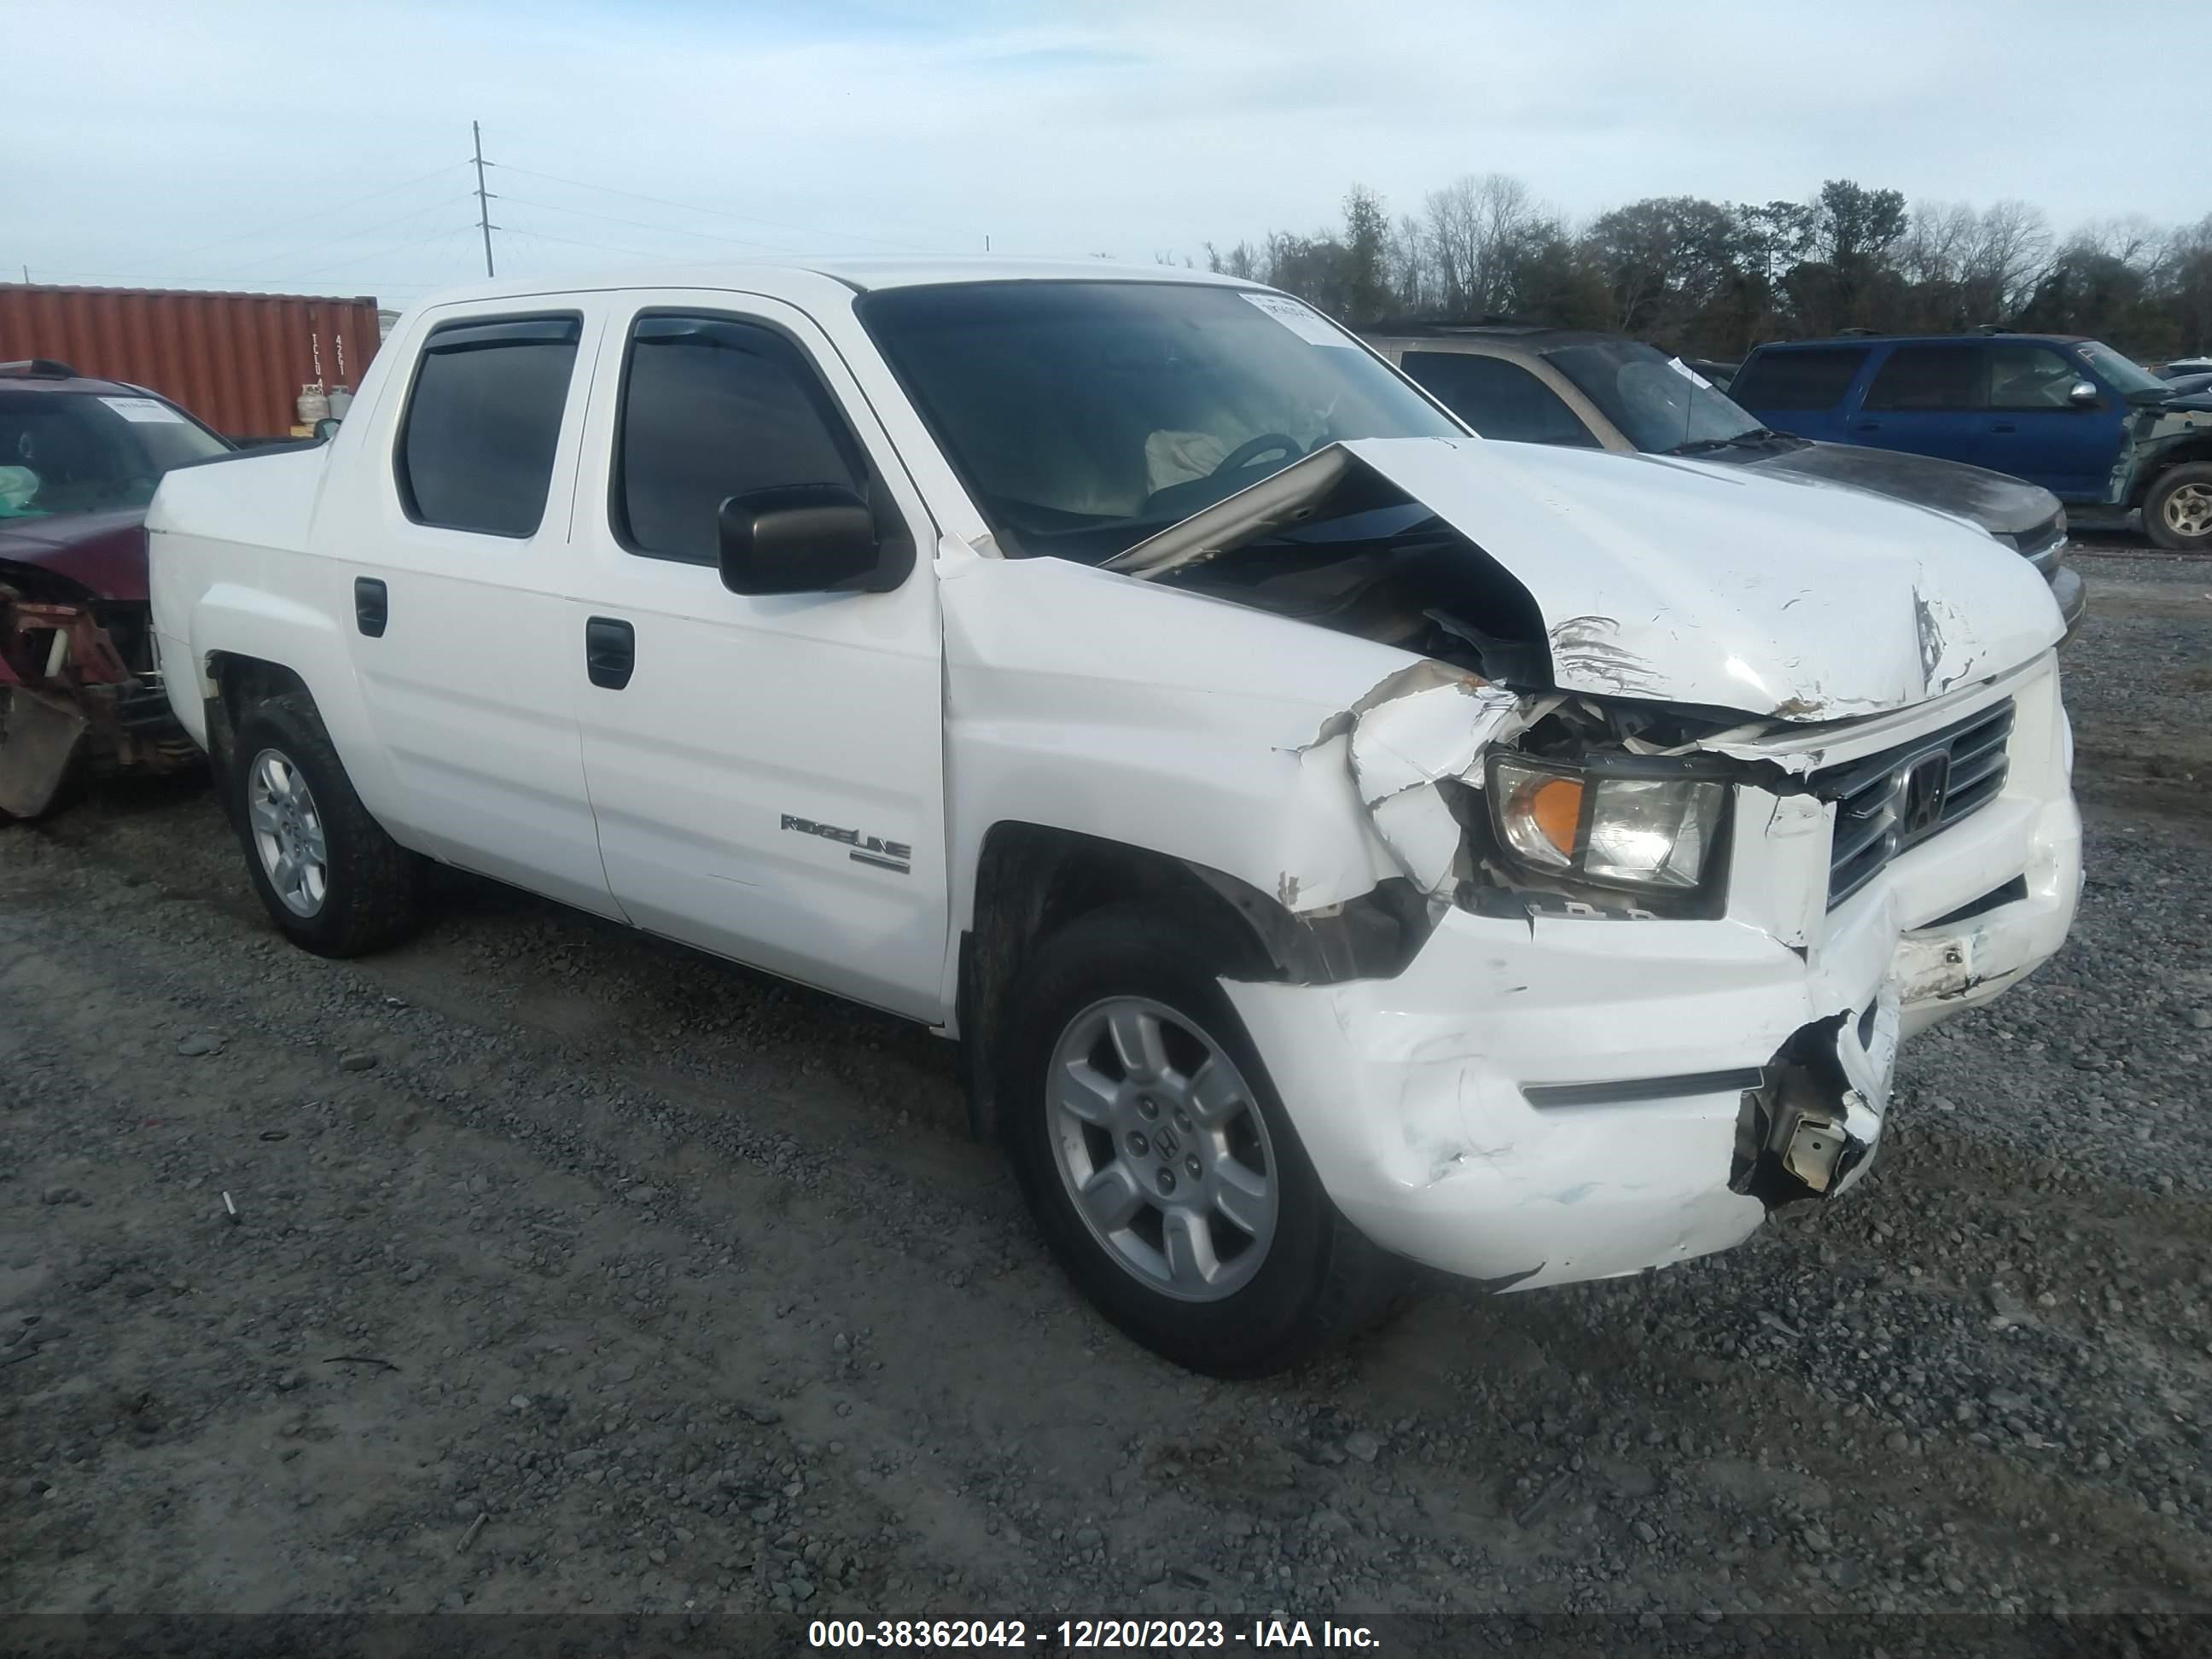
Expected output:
(766, 771)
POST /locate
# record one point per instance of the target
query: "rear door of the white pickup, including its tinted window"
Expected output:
(450, 554)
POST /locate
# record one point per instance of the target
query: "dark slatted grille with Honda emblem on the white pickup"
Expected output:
(1901, 797)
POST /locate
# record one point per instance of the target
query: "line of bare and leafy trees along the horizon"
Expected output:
(1718, 278)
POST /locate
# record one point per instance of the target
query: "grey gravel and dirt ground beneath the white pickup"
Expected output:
(574, 1271)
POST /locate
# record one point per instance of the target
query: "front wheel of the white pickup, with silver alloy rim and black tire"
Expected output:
(1160, 1162)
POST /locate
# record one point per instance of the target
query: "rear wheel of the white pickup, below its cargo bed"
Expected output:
(326, 873)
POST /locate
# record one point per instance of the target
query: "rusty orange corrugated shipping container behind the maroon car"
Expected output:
(238, 362)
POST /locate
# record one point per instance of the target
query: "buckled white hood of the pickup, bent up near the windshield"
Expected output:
(1684, 581)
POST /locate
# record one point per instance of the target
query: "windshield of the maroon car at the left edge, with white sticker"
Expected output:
(81, 452)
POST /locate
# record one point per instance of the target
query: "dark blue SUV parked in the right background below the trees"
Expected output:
(2058, 410)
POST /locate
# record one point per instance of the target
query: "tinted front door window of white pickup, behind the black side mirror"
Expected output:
(713, 408)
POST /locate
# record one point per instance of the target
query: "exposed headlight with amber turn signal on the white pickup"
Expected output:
(1611, 824)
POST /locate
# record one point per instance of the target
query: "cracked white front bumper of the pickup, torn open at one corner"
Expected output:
(1556, 1098)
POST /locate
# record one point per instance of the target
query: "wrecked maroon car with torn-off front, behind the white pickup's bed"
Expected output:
(79, 685)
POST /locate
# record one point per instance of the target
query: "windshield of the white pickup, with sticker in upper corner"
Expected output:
(1085, 417)
